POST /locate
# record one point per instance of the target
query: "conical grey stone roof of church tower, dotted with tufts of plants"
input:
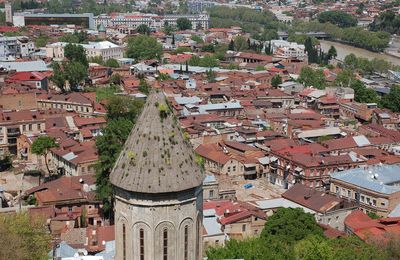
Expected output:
(156, 157)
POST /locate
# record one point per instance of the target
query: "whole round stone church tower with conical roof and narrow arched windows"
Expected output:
(158, 190)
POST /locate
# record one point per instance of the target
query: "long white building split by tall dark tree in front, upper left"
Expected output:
(107, 50)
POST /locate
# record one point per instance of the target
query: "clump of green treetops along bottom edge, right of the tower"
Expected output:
(292, 234)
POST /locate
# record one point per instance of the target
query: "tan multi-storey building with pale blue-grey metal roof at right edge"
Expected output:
(375, 189)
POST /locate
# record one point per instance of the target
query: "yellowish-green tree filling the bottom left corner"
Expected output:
(23, 237)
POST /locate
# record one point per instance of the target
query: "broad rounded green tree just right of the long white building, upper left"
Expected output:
(144, 47)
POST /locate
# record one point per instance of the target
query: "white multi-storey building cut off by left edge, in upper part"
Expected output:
(15, 47)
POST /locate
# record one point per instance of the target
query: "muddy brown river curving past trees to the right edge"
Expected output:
(343, 50)
